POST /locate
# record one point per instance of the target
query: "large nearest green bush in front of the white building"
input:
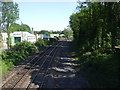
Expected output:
(18, 53)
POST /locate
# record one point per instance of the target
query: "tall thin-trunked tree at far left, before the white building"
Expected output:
(10, 13)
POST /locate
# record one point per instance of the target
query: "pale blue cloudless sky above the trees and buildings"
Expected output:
(46, 15)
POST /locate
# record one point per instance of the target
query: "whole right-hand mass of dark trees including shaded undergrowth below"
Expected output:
(96, 32)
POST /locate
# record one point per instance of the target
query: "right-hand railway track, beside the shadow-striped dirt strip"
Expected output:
(43, 71)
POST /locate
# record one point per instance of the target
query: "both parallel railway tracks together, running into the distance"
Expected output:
(40, 62)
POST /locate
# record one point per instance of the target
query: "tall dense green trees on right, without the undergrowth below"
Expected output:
(96, 26)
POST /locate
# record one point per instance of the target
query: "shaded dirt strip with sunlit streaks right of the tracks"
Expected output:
(62, 73)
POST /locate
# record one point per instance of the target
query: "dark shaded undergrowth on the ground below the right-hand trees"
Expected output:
(101, 69)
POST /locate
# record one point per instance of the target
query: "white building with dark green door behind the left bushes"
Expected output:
(18, 37)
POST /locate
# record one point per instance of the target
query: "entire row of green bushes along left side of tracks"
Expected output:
(20, 51)
